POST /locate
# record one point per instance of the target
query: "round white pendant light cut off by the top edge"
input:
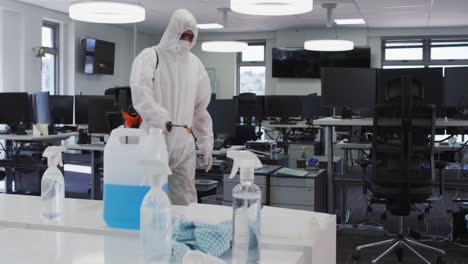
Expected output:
(272, 7)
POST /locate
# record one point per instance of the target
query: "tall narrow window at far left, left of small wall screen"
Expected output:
(50, 61)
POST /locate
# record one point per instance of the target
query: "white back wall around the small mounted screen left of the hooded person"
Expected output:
(96, 84)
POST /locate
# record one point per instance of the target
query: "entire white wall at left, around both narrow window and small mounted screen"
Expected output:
(20, 31)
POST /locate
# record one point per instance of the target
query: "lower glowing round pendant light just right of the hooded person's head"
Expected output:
(224, 46)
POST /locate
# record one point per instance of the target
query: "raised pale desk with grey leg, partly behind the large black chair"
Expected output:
(330, 122)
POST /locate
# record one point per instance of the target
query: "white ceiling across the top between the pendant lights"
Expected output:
(377, 13)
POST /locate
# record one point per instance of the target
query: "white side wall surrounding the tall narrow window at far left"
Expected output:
(20, 31)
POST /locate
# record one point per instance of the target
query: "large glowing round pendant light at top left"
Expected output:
(107, 12)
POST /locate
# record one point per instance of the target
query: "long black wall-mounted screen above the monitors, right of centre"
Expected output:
(300, 63)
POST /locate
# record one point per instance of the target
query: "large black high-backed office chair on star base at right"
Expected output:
(403, 166)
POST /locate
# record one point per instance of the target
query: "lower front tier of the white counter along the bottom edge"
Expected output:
(23, 246)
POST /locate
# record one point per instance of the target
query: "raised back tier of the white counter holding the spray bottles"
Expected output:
(85, 217)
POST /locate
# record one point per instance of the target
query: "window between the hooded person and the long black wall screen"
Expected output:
(251, 69)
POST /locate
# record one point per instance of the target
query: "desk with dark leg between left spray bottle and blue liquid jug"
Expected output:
(97, 153)
